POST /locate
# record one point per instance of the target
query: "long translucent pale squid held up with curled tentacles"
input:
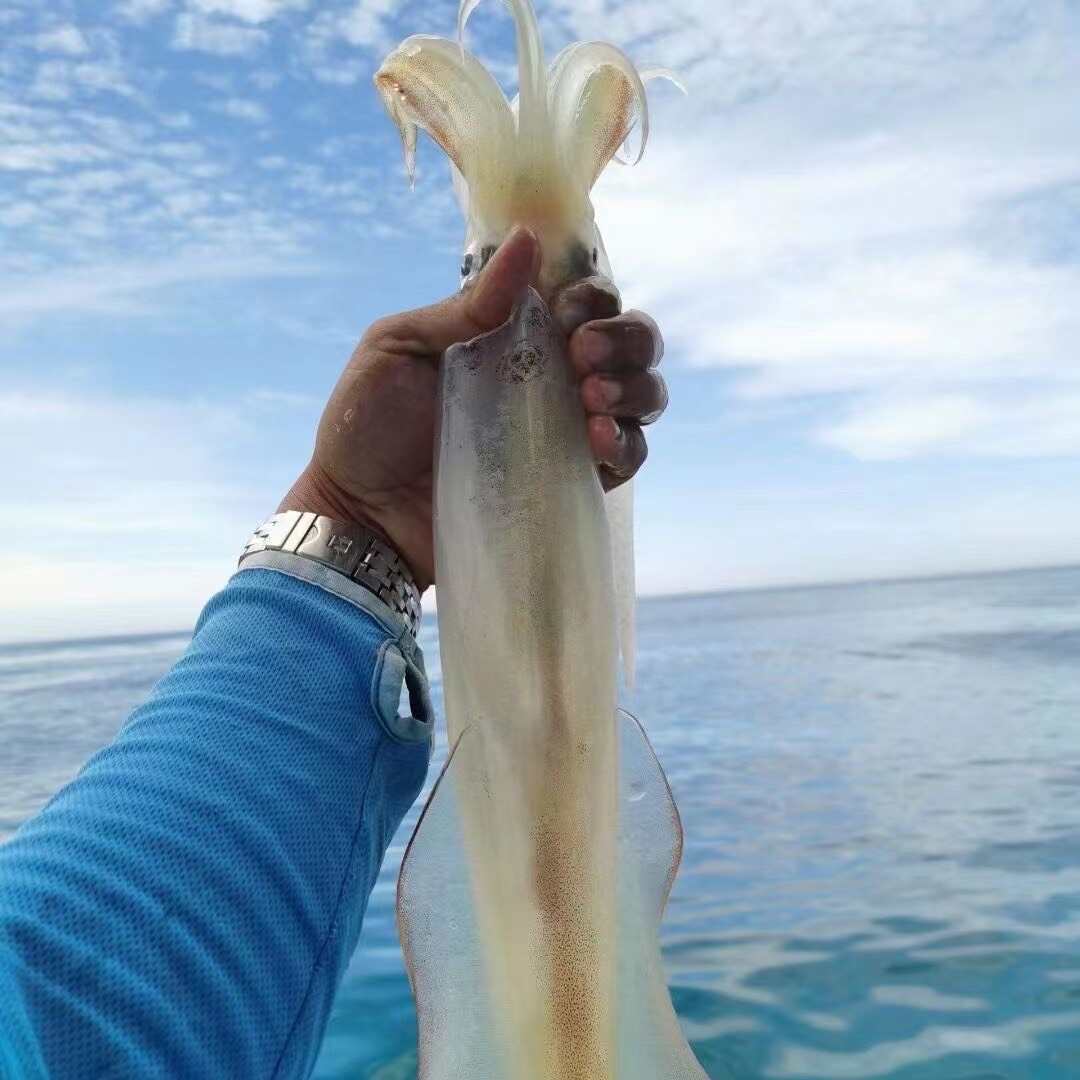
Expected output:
(532, 893)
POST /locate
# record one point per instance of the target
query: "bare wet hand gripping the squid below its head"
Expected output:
(375, 445)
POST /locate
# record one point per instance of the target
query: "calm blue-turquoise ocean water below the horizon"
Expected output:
(881, 790)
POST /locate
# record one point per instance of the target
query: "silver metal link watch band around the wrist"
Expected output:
(357, 552)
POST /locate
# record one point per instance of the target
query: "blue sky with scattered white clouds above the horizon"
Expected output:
(860, 235)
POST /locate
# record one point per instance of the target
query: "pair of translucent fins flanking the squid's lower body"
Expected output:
(460, 1025)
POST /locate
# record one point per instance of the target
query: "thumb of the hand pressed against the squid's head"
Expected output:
(488, 304)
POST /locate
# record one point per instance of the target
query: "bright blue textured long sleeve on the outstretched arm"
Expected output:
(187, 907)
